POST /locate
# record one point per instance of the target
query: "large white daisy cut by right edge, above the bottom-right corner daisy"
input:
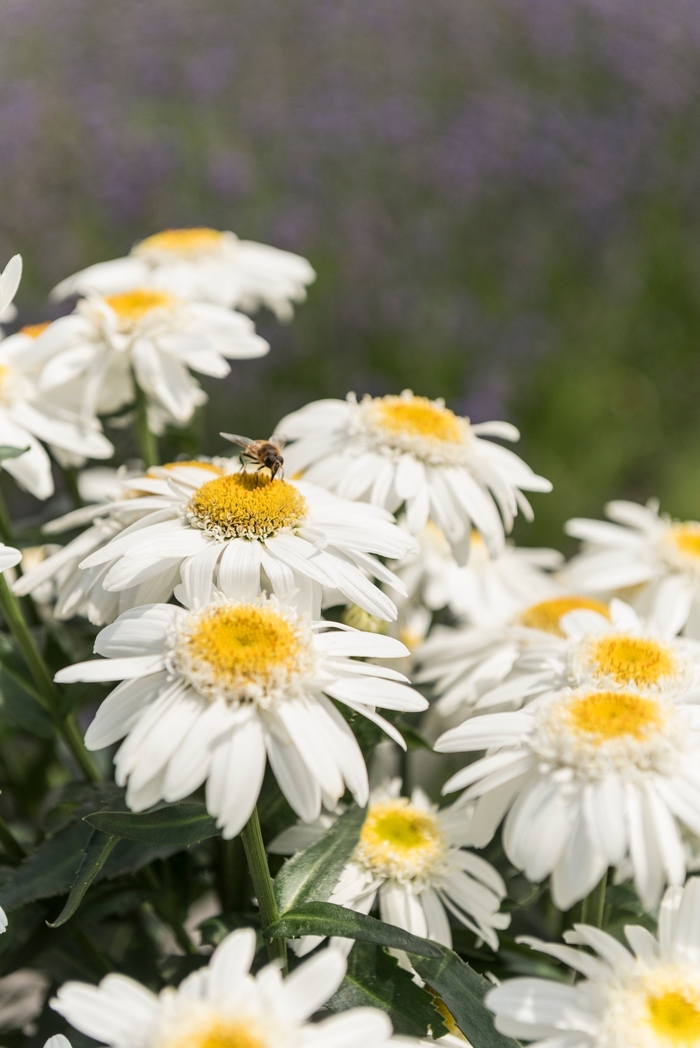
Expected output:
(588, 779)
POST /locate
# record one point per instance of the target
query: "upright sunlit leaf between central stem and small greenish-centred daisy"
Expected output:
(312, 876)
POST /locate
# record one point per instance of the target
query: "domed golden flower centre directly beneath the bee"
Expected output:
(247, 506)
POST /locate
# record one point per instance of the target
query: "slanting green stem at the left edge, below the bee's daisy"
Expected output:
(42, 679)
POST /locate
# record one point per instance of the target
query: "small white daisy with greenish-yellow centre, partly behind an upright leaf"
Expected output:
(411, 859)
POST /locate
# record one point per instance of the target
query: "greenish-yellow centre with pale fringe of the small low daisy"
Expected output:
(401, 841)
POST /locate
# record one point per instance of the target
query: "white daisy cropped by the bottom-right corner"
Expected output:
(645, 997)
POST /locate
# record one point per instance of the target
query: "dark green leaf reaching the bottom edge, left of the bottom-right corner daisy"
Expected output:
(463, 990)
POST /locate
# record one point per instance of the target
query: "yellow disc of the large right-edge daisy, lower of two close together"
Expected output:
(611, 715)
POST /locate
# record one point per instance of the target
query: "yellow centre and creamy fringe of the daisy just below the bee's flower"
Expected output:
(239, 651)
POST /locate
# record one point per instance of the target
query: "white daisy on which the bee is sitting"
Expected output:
(243, 534)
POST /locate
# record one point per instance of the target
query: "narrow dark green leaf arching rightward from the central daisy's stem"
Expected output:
(326, 919)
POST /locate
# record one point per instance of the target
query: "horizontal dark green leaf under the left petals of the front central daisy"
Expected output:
(180, 825)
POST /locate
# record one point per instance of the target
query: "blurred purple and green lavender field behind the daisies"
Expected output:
(501, 199)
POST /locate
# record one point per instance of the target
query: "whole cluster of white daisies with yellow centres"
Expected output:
(249, 618)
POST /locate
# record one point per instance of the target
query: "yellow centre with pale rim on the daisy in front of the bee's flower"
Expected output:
(239, 646)
